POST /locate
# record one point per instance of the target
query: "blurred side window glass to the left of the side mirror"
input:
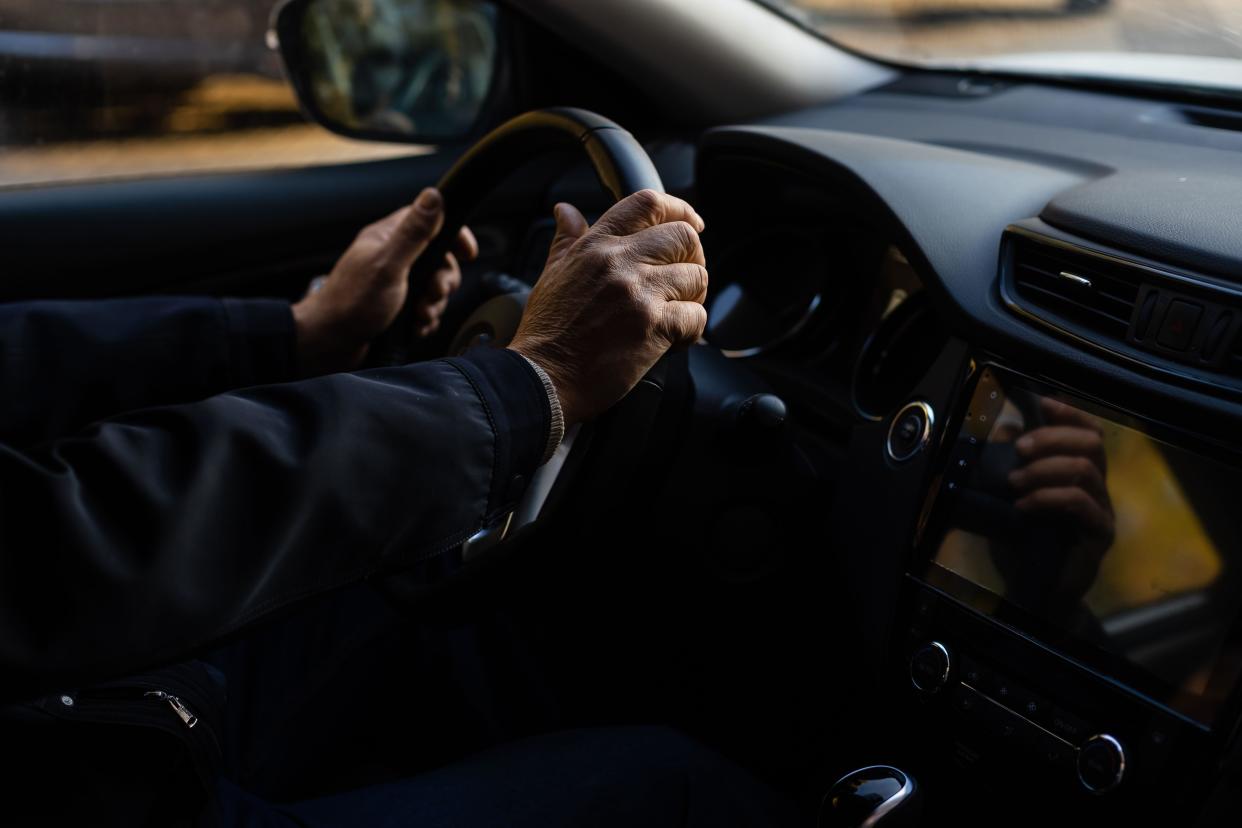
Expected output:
(136, 89)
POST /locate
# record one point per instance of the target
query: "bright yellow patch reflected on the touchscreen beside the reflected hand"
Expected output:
(1161, 549)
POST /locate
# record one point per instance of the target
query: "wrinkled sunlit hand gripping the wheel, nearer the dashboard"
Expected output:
(613, 299)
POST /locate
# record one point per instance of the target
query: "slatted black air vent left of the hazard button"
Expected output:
(1085, 292)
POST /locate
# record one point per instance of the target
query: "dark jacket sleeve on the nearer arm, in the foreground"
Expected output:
(151, 536)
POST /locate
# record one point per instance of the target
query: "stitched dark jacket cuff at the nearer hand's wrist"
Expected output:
(521, 415)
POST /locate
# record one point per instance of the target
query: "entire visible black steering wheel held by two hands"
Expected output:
(623, 168)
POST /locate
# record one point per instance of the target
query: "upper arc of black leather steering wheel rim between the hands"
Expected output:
(619, 161)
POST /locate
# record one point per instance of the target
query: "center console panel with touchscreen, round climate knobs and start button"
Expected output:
(1072, 606)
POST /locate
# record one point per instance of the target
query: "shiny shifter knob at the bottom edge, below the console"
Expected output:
(873, 798)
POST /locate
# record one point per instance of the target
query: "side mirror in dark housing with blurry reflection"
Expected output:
(418, 71)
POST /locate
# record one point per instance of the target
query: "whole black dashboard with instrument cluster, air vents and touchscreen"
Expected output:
(981, 290)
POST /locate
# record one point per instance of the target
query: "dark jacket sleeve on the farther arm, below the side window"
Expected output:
(68, 364)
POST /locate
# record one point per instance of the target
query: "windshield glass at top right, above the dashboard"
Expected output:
(1182, 43)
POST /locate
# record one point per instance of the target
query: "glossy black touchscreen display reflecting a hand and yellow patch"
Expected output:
(1095, 537)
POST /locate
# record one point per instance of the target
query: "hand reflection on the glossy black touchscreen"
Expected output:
(1065, 477)
